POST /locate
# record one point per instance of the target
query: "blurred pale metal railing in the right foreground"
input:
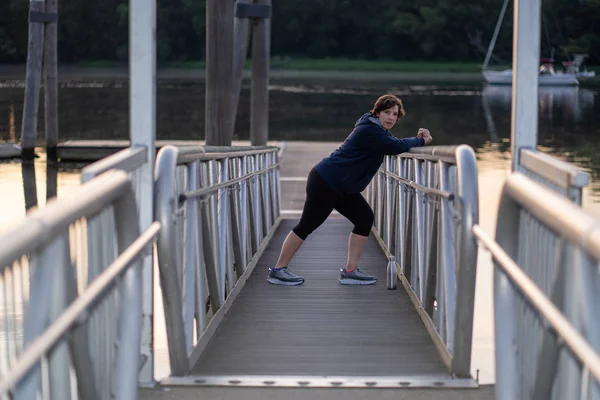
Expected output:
(547, 331)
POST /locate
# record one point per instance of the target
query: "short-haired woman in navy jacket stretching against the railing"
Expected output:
(336, 182)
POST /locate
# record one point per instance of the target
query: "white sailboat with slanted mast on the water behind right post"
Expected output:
(548, 75)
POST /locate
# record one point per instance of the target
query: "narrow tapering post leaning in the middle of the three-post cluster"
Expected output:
(241, 35)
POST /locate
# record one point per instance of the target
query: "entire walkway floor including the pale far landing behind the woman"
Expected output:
(321, 339)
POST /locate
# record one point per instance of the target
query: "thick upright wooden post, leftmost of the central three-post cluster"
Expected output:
(219, 72)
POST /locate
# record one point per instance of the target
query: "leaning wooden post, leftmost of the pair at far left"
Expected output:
(33, 78)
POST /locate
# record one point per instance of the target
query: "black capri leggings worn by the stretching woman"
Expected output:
(321, 200)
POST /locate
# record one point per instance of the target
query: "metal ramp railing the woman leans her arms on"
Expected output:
(425, 203)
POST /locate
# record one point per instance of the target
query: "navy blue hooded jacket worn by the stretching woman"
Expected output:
(350, 168)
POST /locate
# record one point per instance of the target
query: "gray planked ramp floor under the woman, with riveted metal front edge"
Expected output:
(321, 333)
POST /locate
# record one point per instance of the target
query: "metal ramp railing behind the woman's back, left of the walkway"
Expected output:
(218, 207)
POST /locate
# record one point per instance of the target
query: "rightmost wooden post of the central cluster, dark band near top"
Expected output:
(259, 104)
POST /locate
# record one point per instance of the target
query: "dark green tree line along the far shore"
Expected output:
(419, 30)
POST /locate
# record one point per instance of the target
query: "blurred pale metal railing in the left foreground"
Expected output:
(70, 331)
